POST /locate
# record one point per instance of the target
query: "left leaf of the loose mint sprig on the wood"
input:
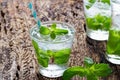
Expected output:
(70, 72)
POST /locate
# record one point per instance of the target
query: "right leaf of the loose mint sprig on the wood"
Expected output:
(102, 70)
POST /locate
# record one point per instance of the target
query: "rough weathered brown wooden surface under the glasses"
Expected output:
(17, 60)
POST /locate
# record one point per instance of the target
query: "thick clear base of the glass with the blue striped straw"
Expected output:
(53, 71)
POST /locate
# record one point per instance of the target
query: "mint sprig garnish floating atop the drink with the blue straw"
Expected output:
(52, 31)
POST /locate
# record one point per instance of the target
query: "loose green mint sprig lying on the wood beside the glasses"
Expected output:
(91, 70)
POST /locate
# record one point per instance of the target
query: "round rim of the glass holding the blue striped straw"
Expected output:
(50, 22)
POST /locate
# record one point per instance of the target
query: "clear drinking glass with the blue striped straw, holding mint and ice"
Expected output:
(53, 54)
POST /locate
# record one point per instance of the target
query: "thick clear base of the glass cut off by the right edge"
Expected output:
(113, 59)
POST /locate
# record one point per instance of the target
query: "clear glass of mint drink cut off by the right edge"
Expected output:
(113, 43)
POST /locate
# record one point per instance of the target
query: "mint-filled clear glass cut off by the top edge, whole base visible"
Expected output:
(98, 18)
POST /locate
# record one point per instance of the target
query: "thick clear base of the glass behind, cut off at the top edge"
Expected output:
(97, 34)
